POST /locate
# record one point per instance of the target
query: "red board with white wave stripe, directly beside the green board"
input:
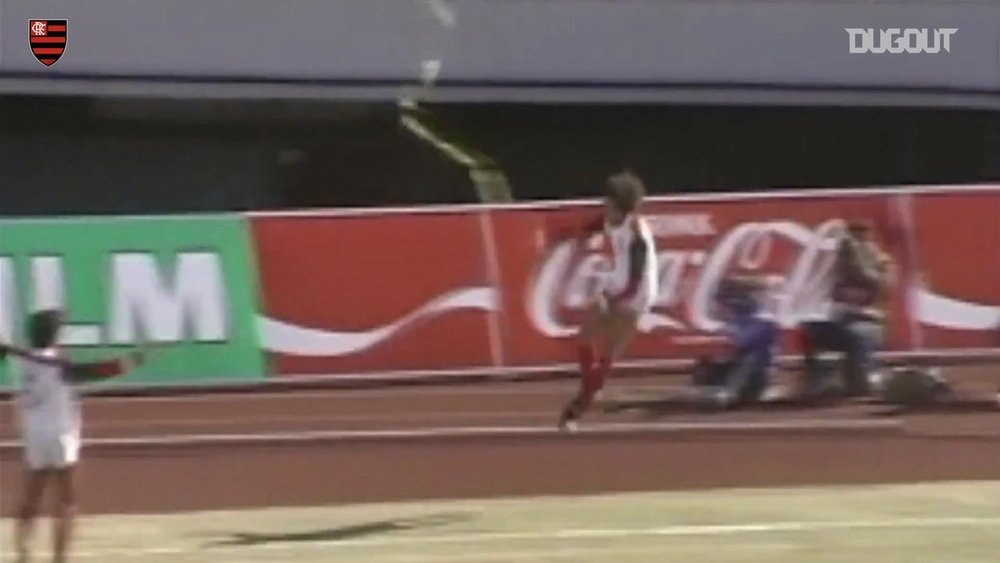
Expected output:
(374, 292)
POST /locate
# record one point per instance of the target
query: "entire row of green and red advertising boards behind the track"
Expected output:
(244, 298)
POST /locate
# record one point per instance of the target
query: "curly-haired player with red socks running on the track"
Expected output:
(624, 294)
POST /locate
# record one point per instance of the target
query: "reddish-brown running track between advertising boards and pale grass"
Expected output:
(444, 464)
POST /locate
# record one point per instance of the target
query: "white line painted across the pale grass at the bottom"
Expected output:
(574, 534)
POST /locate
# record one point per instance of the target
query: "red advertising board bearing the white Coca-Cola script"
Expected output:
(546, 281)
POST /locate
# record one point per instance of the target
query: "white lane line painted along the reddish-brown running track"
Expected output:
(486, 431)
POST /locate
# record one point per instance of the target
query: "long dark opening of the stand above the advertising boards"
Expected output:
(132, 156)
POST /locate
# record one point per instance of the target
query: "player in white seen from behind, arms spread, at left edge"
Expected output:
(50, 423)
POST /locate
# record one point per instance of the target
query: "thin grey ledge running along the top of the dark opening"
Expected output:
(392, 91)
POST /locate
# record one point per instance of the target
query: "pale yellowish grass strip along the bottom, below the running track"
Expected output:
(924, 523)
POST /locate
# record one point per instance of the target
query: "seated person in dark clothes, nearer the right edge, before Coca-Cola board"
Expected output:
(862, 277)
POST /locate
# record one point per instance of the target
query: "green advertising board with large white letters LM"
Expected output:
(186, 286)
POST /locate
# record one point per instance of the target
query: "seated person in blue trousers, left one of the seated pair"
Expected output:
(741, 374)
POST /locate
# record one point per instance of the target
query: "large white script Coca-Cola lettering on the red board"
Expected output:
(688, 278)
